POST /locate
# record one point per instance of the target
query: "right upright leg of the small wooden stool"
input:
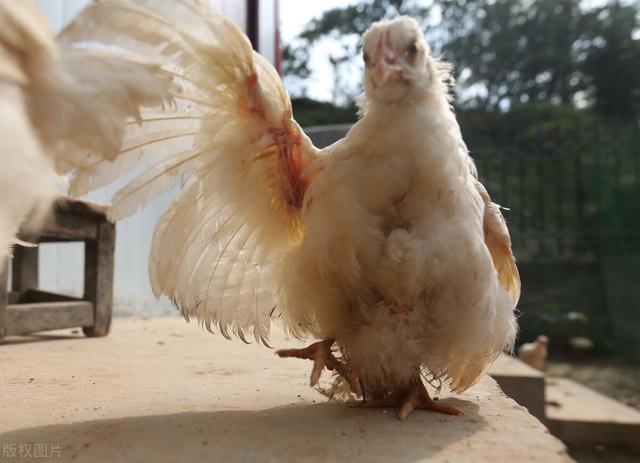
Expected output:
(98, 278)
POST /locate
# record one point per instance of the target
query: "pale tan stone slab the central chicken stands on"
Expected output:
(163, 390)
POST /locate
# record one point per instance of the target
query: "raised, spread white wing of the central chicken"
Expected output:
(241, 161)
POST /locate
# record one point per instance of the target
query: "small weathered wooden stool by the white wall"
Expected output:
(24, 309)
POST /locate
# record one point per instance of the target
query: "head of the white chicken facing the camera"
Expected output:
(397, 60)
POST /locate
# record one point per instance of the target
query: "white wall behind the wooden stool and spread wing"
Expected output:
(62, 264)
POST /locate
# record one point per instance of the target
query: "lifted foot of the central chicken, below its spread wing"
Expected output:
(320, 353)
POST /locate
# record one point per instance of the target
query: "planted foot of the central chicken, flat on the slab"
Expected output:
(415, 397)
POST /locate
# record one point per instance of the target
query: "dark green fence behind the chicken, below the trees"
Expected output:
(571, 183)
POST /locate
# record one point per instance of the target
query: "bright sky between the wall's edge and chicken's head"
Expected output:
(294, 15)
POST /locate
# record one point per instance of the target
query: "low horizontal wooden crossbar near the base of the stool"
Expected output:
(31, 318)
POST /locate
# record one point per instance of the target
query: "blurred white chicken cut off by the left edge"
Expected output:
(60, 111)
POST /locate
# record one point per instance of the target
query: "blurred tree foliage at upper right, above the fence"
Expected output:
(547, 50)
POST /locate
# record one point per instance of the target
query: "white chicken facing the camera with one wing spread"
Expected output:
(383, 246)
